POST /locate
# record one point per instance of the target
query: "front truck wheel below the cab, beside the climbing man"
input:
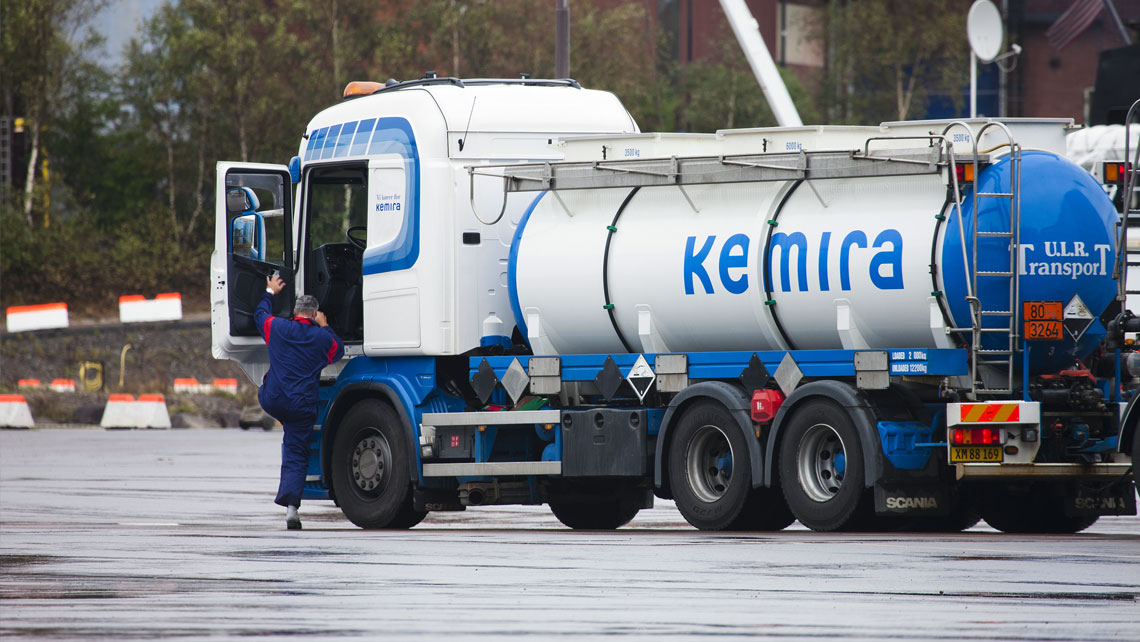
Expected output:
(370, 468)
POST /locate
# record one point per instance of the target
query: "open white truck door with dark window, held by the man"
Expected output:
(254, 240)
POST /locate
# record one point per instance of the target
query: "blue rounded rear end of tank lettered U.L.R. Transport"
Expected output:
(1068, 246)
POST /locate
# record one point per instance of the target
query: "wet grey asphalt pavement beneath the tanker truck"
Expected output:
(150, 535)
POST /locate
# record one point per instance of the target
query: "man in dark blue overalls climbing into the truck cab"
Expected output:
(299, 350)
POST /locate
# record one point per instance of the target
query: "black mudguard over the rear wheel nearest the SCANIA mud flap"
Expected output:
(853, 402)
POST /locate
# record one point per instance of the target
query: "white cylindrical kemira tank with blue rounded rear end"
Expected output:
(857, 263)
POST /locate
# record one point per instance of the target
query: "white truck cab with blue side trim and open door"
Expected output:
(384, 225)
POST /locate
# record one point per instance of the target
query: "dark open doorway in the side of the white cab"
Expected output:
(337, 202)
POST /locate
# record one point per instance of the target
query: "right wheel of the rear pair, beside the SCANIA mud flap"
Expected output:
(821, 469)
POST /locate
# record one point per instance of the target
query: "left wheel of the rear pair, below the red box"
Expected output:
(710, 468)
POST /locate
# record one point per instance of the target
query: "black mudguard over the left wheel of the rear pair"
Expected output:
(735, 400)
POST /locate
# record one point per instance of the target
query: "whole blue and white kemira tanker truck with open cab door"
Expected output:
(910, 326)
